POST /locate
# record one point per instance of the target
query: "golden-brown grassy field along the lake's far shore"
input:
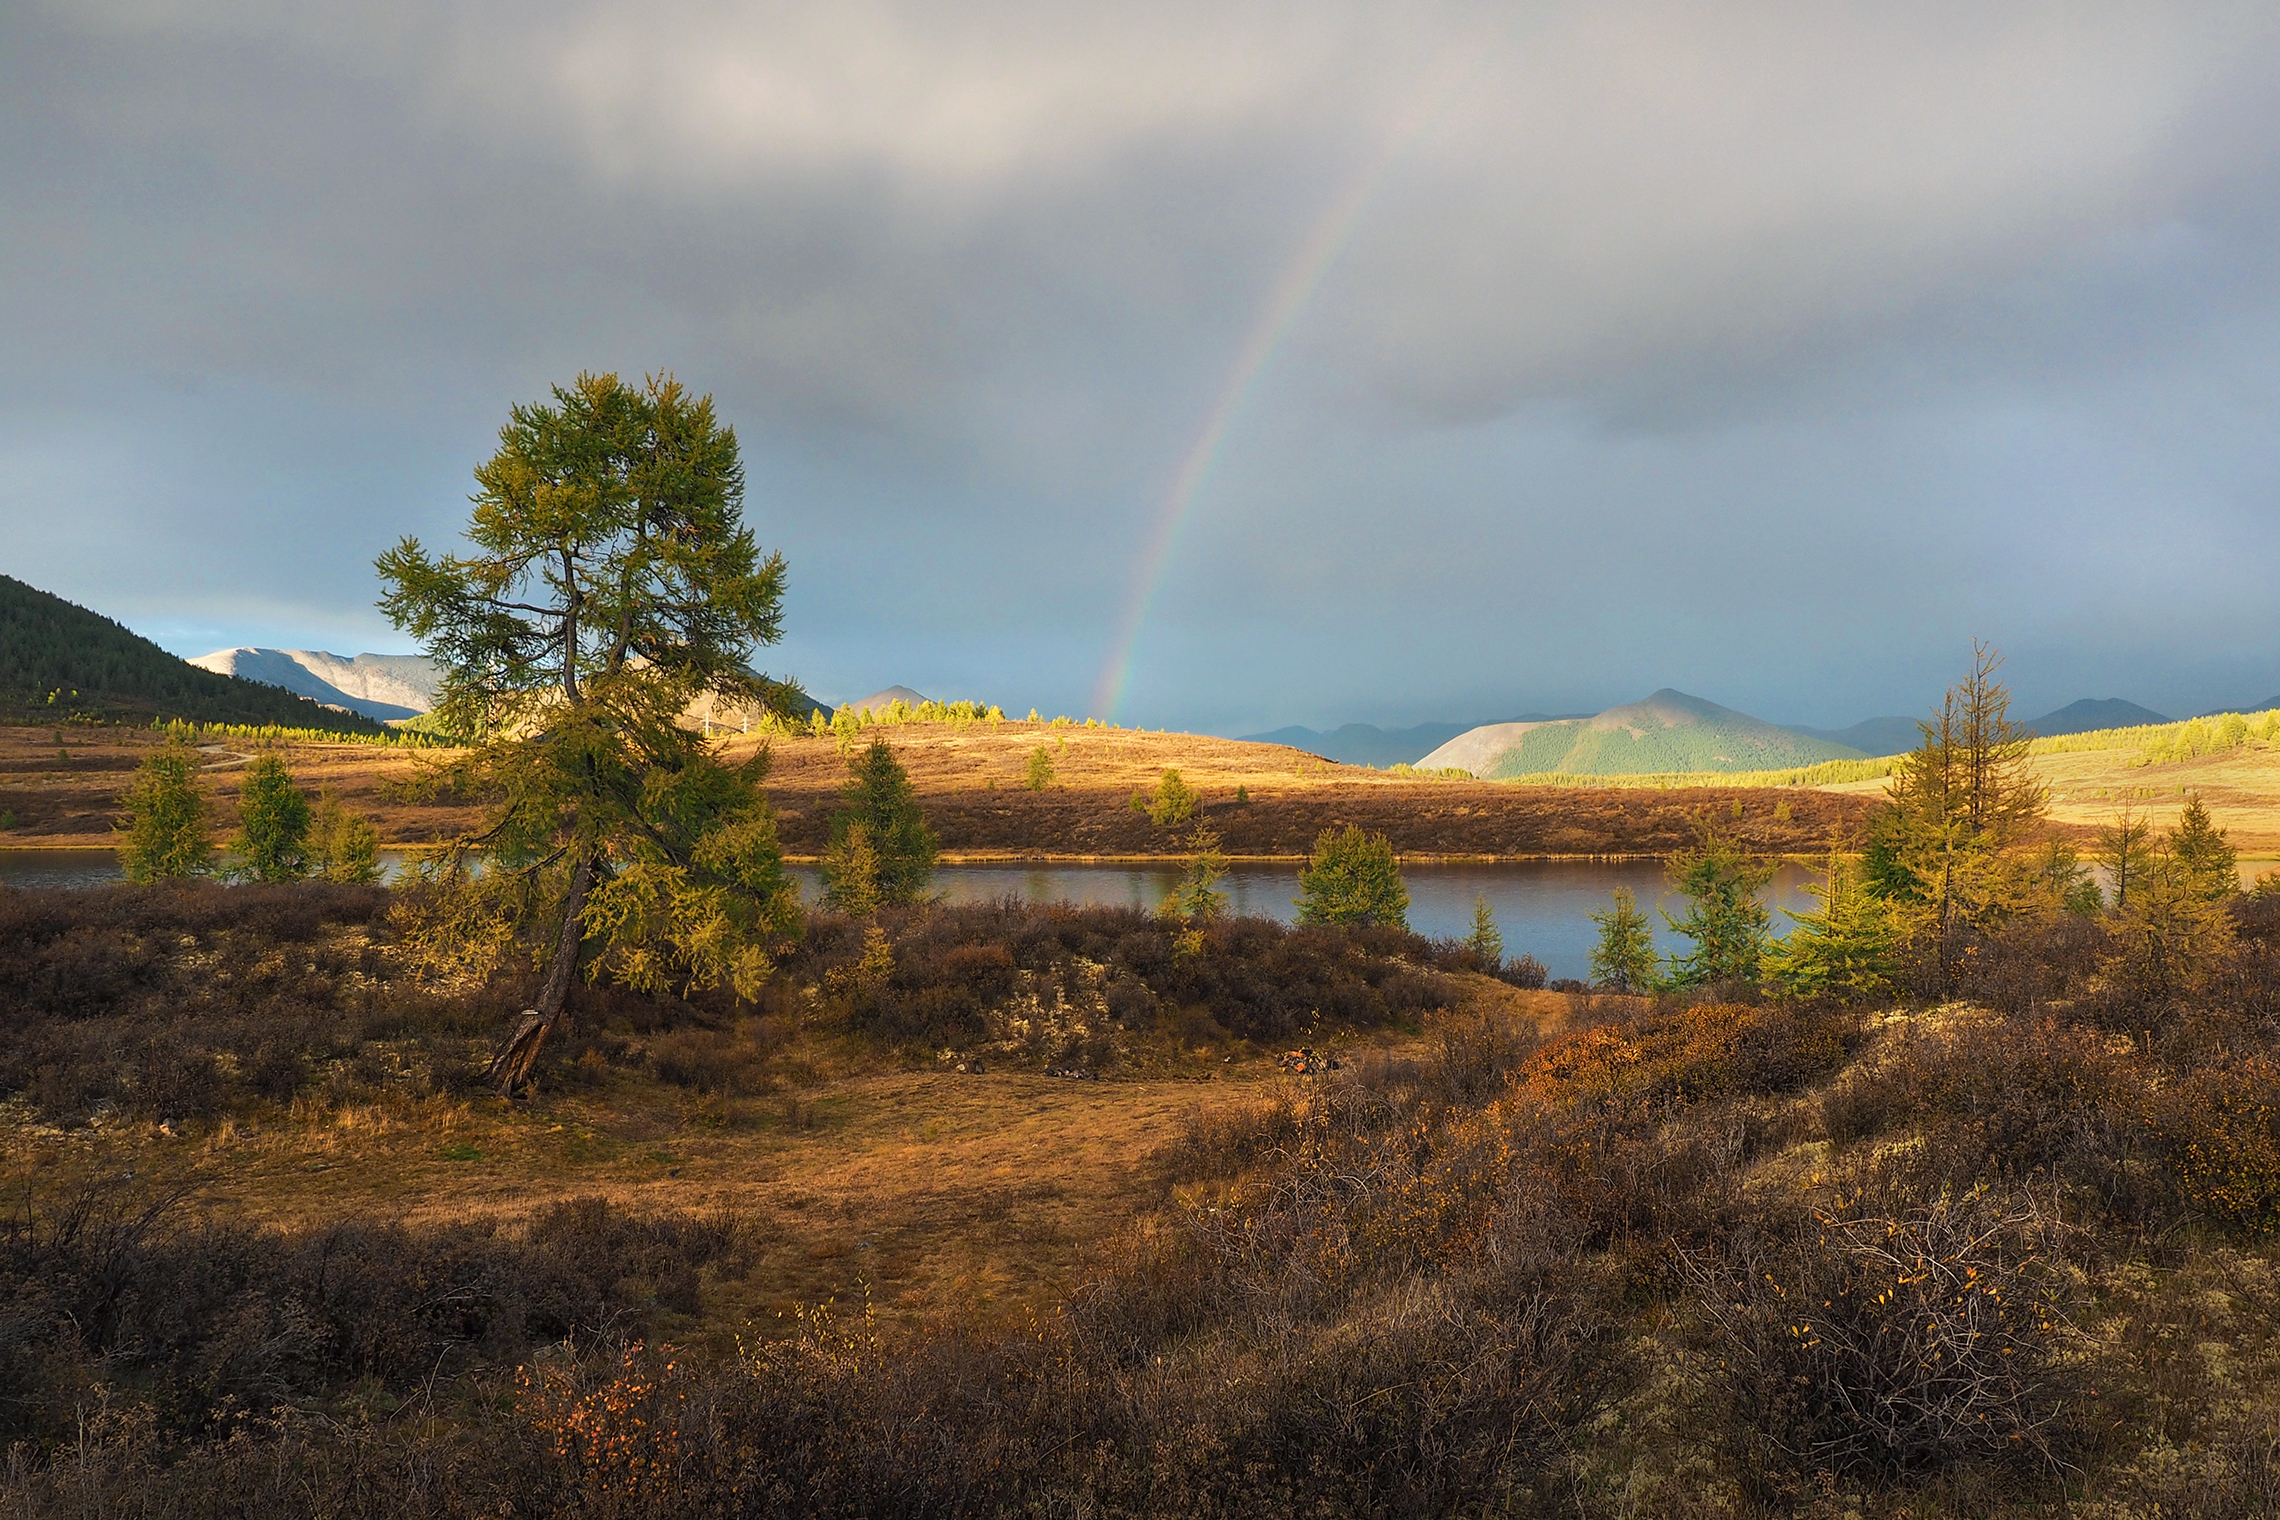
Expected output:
(65, 787)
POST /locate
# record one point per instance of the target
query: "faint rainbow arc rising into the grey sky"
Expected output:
(1276, 320)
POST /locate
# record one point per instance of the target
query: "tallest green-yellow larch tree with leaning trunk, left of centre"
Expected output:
(612, 587)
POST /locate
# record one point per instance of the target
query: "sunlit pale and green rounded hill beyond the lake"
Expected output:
(1666, 733)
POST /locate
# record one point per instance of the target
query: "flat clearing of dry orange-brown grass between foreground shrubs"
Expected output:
(927, 1193)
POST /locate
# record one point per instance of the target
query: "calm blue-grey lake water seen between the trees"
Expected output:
(1542, 908)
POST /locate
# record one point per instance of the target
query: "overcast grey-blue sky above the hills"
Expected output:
(1488, 357)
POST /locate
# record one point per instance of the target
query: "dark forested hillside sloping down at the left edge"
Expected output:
(60, 660)
